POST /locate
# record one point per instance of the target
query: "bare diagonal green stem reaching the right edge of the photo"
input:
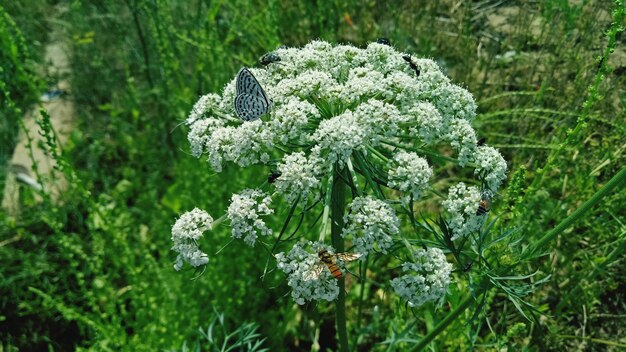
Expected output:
(616, 181)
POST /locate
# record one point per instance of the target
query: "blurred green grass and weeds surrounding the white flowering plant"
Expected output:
(96, 272)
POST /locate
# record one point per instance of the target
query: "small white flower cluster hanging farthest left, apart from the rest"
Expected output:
(186, 232)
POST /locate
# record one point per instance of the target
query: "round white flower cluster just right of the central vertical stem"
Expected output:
(370, 224)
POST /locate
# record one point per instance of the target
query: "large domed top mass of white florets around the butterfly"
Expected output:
(340, 98)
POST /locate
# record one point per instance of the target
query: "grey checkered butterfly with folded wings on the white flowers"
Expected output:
(251, 101)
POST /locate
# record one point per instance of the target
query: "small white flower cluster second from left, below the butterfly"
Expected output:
(245, 211)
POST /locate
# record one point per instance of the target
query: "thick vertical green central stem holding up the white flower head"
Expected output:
(337, 201)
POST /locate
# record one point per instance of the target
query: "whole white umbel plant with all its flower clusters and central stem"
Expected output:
(359, 138)
